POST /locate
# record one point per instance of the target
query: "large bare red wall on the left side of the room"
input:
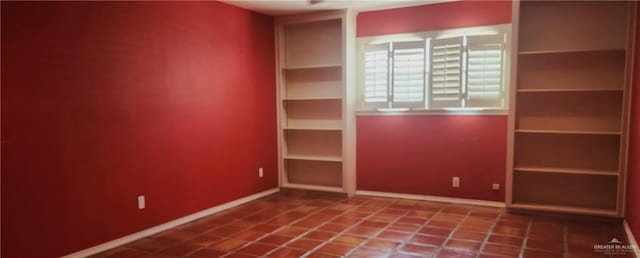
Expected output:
(105, 101)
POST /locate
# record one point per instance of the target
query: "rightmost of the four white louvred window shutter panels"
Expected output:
(485, 55)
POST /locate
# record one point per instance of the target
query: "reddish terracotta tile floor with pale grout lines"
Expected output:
(296, 223)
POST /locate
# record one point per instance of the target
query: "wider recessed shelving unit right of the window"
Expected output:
(569, 108)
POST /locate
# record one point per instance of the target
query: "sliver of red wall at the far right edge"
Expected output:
(633, 172)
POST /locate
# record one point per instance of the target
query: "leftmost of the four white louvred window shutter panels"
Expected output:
(376, 73)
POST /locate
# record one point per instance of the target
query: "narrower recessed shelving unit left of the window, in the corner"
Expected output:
(313, 107)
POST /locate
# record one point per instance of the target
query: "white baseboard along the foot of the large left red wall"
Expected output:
(162, 227)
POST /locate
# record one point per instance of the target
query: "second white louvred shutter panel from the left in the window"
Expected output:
(408, 74)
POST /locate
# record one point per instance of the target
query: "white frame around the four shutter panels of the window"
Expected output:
(389, 108)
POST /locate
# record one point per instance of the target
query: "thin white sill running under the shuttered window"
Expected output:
(439, 112)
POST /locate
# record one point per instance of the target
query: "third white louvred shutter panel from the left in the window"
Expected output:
(446, 72)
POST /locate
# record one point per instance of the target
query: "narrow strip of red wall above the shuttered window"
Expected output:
(433, 17)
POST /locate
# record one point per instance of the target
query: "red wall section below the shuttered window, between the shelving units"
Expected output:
(420, 154)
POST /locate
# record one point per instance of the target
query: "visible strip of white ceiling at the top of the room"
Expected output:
(289, 7)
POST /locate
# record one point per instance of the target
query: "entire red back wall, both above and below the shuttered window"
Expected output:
(419, 154)
